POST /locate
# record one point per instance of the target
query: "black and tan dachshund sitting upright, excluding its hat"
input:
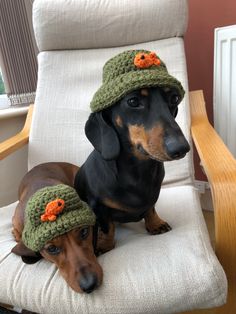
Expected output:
(122, 177)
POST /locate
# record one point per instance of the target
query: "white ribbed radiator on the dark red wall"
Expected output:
(225, 85)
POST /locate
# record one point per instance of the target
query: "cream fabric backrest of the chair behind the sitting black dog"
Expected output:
(67, 81)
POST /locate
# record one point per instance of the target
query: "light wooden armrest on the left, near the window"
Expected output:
(14, 143)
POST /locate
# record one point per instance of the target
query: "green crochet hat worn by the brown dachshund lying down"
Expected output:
(53, 211)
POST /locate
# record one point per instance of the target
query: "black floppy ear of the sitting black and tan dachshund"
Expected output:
(102, 136)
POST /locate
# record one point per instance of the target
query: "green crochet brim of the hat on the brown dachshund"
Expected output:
(35, 237)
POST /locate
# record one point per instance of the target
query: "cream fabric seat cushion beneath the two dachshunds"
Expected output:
(168, 273)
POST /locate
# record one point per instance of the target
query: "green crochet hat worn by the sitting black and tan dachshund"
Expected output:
(128, 71)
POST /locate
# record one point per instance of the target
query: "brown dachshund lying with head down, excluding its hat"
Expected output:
(73, 252)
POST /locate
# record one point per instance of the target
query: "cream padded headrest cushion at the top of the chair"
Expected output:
(61, 25)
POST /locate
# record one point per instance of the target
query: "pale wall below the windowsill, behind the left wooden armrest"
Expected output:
(12, 168)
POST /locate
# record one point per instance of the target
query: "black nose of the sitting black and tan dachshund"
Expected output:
(176, 148)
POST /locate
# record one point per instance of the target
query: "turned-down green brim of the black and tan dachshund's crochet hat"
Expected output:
(110, 92)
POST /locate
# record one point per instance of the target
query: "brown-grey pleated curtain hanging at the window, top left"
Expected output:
(18, 52)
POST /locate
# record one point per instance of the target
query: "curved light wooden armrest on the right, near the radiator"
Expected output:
(220, 167)
